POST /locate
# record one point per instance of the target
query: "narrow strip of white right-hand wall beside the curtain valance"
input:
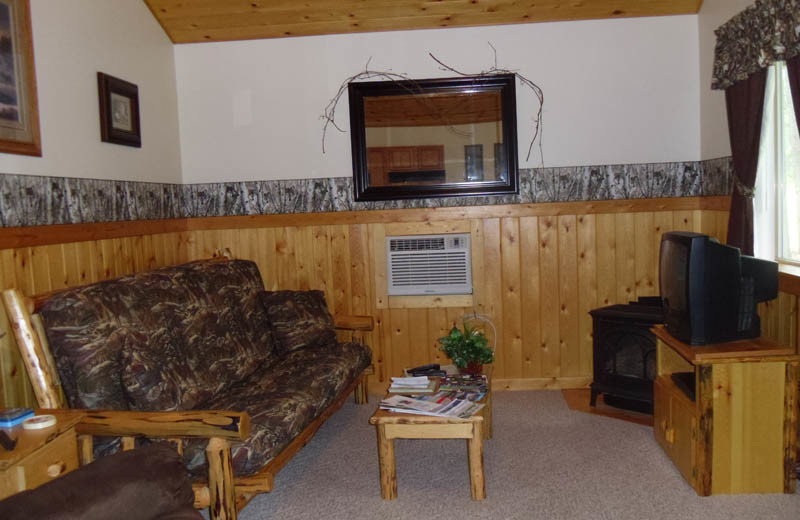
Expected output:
(713, 117)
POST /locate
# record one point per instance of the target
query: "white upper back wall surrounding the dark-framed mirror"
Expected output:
(616, 91)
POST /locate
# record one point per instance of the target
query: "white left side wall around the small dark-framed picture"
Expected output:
(72, 41)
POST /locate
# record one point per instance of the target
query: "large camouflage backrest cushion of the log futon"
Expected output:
(177, 334)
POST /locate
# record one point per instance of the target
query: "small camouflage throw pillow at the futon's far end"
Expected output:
(299, 319)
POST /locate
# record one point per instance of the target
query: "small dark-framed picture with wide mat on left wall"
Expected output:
(119, 111)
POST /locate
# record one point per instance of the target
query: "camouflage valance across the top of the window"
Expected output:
(766, 32)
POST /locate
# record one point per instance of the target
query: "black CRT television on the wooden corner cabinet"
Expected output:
(711, 291)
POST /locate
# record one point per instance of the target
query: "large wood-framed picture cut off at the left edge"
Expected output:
(19, 107)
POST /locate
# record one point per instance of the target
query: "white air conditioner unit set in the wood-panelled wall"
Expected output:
(429, 264)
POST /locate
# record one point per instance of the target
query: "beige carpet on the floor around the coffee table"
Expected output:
(545, 461)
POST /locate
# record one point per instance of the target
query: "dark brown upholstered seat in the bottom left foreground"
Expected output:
(142, 484)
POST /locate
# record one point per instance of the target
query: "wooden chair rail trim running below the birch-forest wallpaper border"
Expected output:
(28, 236)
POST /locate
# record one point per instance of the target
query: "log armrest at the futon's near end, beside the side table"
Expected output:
(224, 424)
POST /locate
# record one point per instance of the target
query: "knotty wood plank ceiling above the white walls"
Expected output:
(192, 21)
